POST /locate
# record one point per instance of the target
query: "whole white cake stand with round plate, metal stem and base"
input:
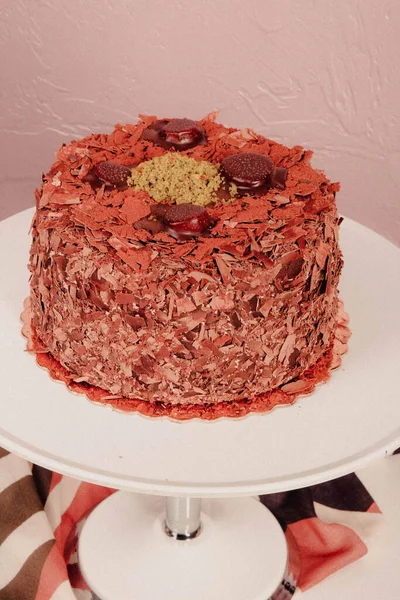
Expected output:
(240, 553)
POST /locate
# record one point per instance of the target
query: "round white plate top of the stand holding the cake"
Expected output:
(343, 425)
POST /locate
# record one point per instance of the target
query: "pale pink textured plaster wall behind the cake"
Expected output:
(319, 73)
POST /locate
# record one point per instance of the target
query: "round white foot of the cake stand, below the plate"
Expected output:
(124, 552)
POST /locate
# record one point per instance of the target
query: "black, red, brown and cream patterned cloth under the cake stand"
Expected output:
(42, 512)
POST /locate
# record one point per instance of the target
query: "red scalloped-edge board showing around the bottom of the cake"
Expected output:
(262, 403)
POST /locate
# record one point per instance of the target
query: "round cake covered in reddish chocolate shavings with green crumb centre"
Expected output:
(184, 262)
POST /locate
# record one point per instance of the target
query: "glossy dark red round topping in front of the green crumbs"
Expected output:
(187, 220)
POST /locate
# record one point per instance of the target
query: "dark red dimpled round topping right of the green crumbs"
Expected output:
(247, 169)
